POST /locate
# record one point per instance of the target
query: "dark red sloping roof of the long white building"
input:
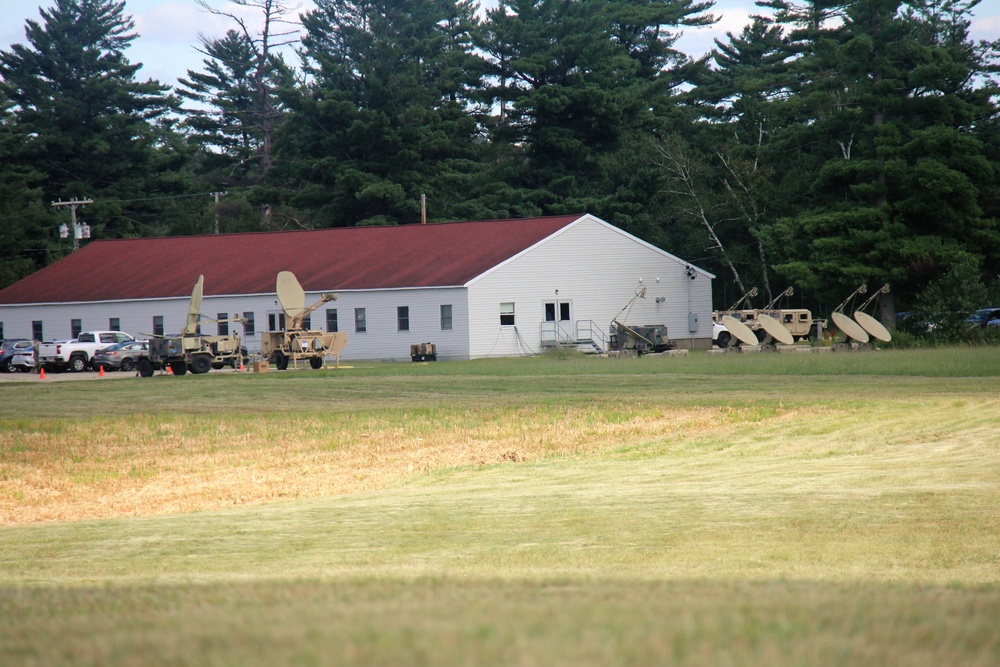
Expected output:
(323, 260)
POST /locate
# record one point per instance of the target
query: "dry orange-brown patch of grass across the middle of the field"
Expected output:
(97, 468)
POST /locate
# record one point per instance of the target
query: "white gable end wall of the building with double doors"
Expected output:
(597, 269)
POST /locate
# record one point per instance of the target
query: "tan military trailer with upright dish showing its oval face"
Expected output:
(294, 343)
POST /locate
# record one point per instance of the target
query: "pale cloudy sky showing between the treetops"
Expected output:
(168, 30)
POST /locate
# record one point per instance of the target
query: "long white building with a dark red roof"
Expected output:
(474, 289)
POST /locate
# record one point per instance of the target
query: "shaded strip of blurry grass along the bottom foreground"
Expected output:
(442, 622)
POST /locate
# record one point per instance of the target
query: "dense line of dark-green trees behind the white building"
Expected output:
(825, 145)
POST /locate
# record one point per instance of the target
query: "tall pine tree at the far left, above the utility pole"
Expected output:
(81, 118)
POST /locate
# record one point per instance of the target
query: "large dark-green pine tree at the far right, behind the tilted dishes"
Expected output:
(897, 194)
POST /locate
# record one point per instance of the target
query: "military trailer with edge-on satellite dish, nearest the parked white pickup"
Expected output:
(191, 350)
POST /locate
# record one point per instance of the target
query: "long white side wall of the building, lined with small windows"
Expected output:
(381, 341)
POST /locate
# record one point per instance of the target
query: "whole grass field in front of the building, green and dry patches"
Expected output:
(708, 510)
